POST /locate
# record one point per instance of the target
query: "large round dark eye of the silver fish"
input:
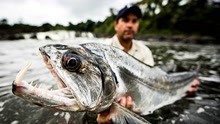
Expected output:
(71, 62)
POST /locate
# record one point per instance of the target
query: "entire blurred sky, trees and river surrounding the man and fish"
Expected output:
(182, 34)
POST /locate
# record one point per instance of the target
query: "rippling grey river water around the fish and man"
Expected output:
(203, 107)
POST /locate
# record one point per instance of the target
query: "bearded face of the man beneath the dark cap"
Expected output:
(127, 27)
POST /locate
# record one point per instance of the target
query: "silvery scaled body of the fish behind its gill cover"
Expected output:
(150, 87)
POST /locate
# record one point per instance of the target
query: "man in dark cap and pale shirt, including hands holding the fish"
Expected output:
(126, 26)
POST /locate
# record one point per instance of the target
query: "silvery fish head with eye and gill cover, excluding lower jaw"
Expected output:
(80, 71)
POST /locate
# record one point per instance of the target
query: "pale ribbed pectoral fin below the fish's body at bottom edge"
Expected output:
(122, 115)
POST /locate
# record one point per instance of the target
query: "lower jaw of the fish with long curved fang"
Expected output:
(56, 99)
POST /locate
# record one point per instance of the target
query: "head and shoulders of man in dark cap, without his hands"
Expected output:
(126, 26)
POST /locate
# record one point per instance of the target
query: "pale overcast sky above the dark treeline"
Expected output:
(37, 12)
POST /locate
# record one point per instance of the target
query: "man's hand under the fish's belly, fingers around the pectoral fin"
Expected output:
(105, 117)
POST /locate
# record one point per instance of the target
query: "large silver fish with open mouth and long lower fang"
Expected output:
(92, 76)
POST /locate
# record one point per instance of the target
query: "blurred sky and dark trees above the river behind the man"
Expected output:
(194, 21)
